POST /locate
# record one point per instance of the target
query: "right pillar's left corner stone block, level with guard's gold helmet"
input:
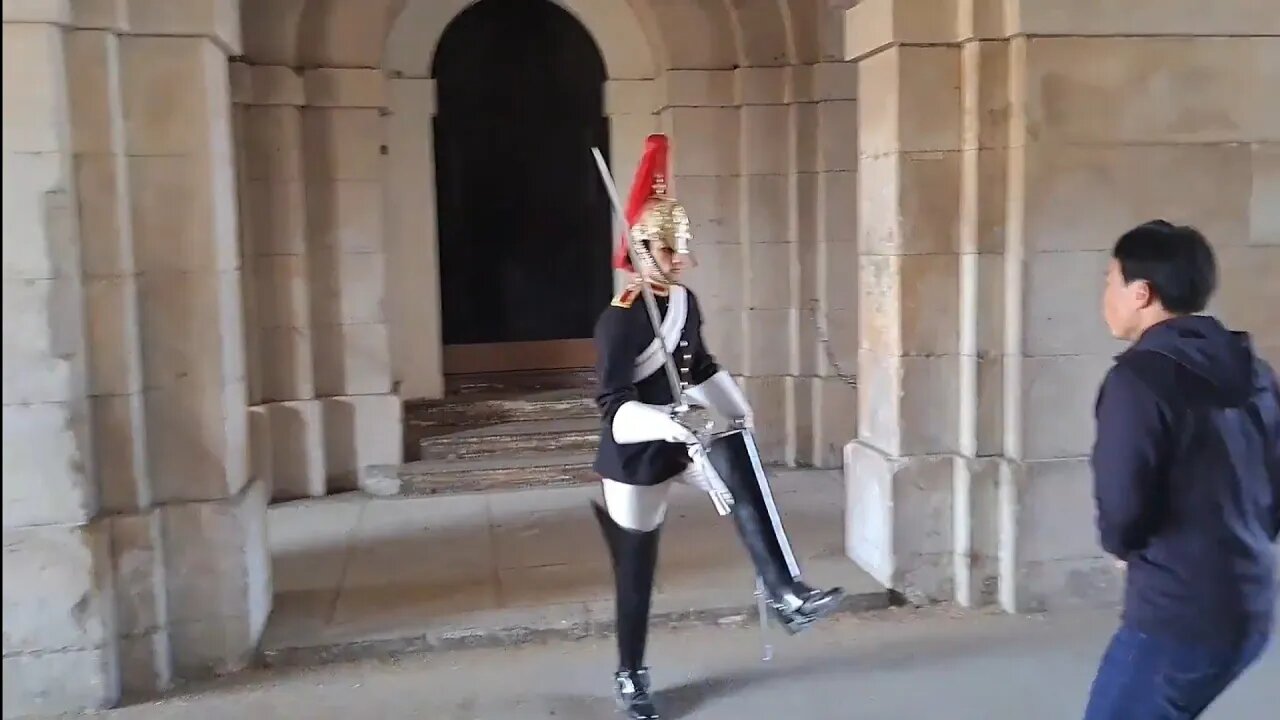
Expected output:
(909, 203)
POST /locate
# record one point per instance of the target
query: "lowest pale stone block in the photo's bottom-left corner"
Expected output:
(51, 683)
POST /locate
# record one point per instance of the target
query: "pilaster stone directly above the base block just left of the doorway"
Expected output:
(353, 359)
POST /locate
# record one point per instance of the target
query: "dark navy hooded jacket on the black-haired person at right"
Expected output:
(1187, 481)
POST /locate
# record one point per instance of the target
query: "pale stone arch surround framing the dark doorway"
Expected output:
(412, 240)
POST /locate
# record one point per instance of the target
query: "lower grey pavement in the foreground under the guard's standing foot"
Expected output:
(884, 666)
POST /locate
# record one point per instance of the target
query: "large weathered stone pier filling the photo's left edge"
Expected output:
(134, 530)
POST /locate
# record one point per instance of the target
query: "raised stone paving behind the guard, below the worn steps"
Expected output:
(360, 577)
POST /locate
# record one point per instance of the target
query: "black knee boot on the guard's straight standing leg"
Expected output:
(636, 559)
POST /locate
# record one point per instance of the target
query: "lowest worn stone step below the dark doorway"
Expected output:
(506, 472)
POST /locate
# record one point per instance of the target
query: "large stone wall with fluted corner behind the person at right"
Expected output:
(1017, 143)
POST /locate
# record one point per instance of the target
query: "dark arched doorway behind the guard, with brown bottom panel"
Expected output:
(524, 220)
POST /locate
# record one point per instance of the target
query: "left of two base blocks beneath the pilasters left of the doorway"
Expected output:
(298, 432)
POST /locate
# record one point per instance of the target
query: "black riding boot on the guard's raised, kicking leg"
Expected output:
(796, 604)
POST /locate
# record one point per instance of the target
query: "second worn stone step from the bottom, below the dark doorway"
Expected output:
(516, 440)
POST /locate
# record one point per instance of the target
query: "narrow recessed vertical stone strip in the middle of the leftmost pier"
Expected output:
(117, 399)
